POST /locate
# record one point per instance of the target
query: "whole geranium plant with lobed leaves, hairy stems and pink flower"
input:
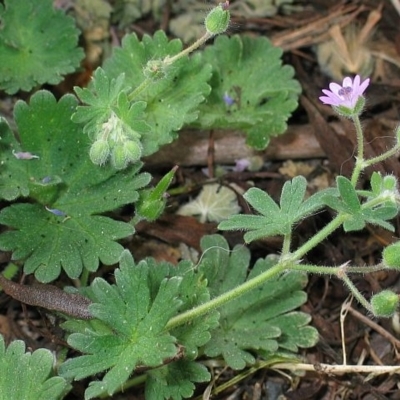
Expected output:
(77, 160)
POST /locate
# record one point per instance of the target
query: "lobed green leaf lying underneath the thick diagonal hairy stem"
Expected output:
(260, 320)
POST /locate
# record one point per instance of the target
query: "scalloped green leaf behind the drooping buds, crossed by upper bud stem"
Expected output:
(171, 101)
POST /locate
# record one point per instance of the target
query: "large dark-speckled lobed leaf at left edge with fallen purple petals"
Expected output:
(62, 228)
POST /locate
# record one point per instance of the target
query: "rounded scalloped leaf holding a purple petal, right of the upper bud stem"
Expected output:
(249, 72)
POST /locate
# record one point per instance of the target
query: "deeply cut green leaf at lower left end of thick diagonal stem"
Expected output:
(139, 337)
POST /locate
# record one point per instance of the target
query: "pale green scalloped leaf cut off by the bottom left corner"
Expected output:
(28, 376)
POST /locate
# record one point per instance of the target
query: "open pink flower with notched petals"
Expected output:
(346, 95)
